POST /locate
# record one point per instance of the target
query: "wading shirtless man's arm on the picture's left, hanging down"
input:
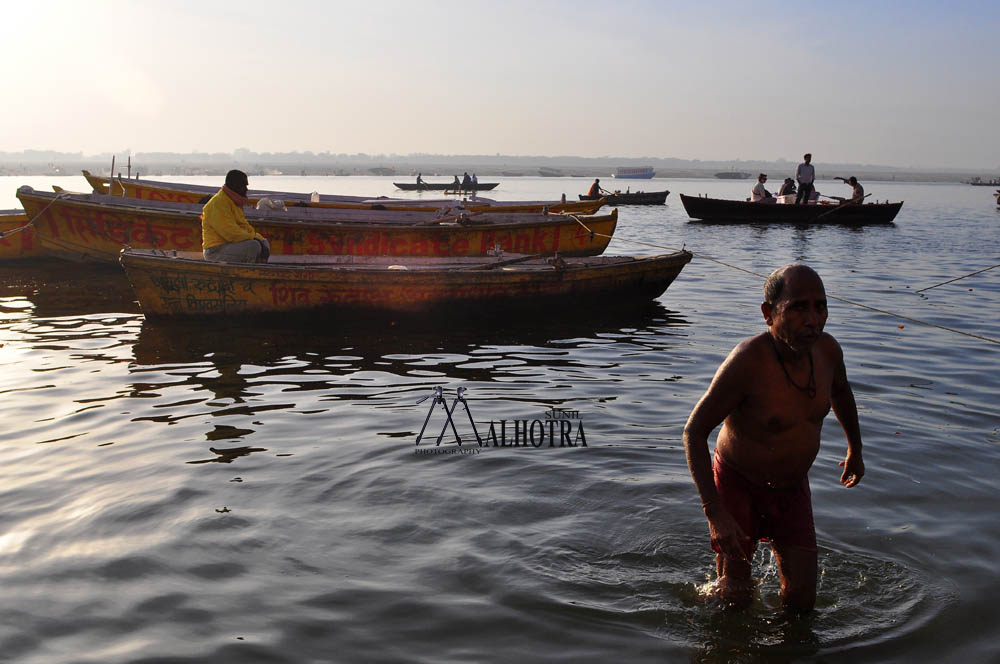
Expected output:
(722, 397)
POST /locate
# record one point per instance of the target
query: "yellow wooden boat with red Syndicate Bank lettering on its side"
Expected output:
(96, 227)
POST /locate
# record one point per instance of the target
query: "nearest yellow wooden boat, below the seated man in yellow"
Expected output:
(184, 284)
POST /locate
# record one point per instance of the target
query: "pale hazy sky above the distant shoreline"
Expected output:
(895, 83)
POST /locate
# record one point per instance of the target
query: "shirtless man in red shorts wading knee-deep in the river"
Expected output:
(771, 395)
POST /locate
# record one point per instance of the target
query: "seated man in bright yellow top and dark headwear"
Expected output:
(226, 235)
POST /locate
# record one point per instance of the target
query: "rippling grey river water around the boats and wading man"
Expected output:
(253, 493)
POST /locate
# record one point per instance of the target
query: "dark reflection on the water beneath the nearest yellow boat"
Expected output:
(388, 343)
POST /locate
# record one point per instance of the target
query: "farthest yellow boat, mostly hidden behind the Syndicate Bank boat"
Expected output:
(175, 192)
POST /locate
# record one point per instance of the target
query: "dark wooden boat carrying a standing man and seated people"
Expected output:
(718, 210)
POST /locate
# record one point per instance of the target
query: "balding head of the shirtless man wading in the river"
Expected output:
(794, 306)
